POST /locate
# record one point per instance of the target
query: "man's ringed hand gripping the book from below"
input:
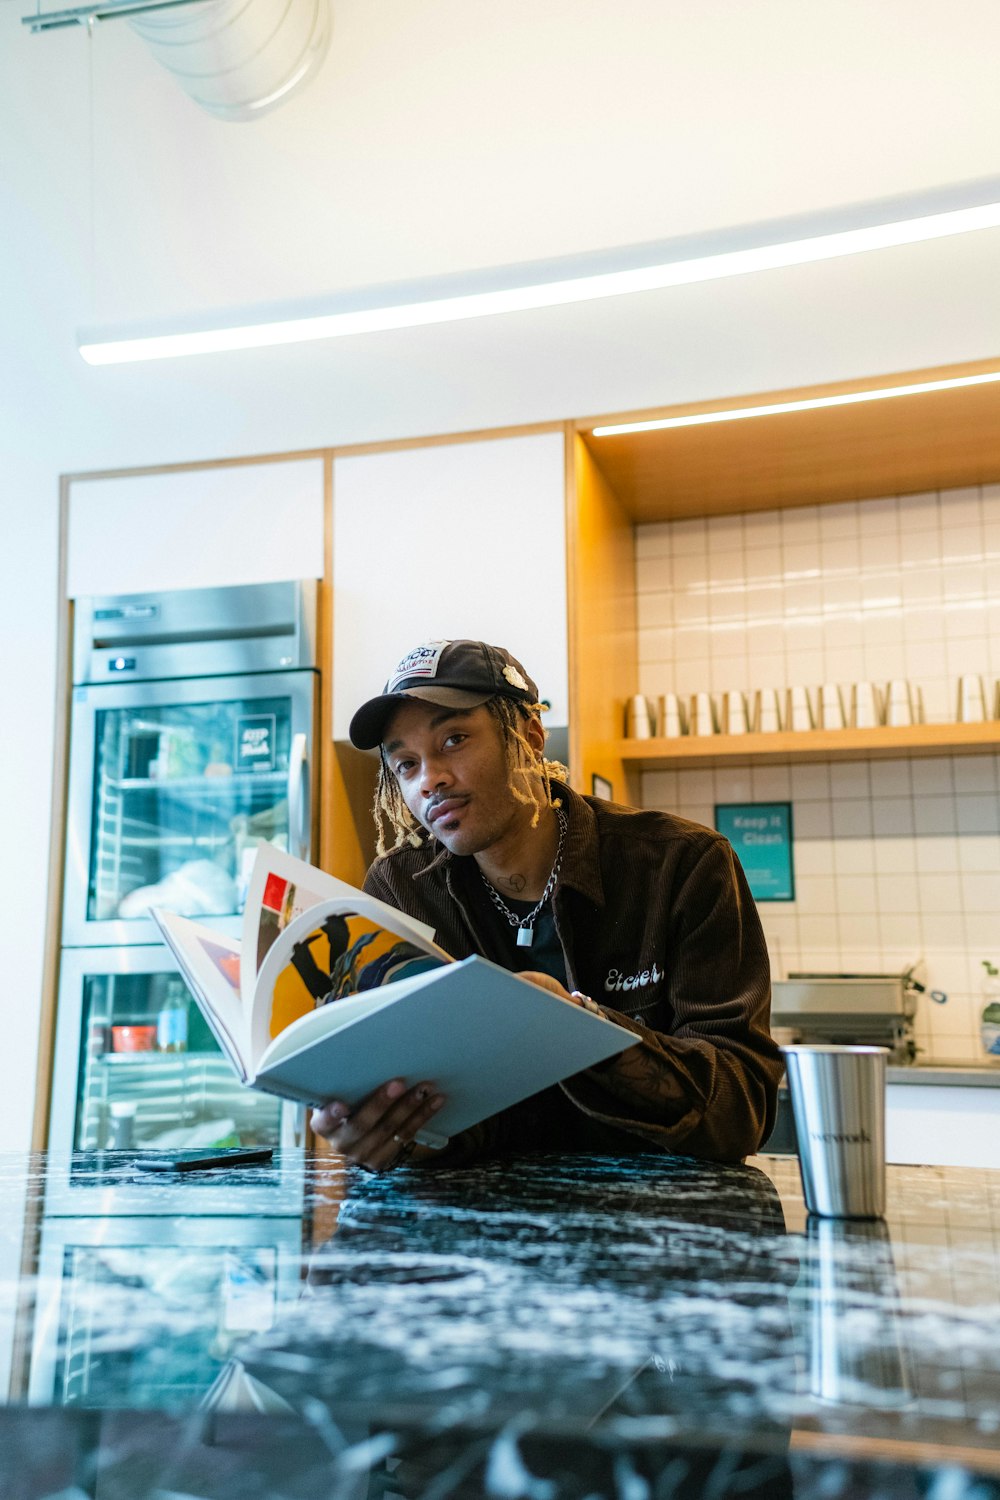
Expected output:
(380, 1133)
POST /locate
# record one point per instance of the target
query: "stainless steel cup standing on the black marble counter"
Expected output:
(839, 1105)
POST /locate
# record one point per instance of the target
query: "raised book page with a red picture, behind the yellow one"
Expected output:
(281, 890)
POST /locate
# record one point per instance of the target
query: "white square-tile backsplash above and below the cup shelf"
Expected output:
(896, 860)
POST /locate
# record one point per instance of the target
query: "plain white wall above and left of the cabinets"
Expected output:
(443, 137)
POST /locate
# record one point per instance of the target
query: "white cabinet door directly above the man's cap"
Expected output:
(451, 542)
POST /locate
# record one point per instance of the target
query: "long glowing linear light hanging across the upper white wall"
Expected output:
(558, 284)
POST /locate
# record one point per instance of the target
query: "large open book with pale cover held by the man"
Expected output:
(331, 994)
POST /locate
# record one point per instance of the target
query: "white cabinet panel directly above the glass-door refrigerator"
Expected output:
(196, 529)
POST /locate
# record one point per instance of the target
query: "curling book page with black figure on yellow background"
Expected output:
(337, 950)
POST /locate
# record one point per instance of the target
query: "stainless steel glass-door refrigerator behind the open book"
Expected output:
(193, 736)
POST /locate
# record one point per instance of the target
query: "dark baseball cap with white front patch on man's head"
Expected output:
(457, 674)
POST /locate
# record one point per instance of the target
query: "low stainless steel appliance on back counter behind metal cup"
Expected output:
(846, 1009)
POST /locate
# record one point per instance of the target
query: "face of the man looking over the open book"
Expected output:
(454, 775)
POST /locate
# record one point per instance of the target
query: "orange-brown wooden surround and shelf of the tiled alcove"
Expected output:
(852, 451)
